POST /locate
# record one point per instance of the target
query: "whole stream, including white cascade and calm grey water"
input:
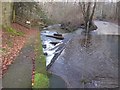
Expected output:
(78, 62)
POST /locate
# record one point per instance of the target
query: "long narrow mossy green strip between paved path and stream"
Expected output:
(41, 79)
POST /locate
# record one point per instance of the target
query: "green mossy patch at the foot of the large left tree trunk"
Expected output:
(12, 31)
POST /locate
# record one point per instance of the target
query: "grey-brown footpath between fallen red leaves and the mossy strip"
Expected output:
(19, 74)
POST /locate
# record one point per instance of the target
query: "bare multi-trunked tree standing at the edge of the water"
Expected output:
(88, 9)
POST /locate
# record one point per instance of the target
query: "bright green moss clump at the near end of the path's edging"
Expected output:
(40, 81)
